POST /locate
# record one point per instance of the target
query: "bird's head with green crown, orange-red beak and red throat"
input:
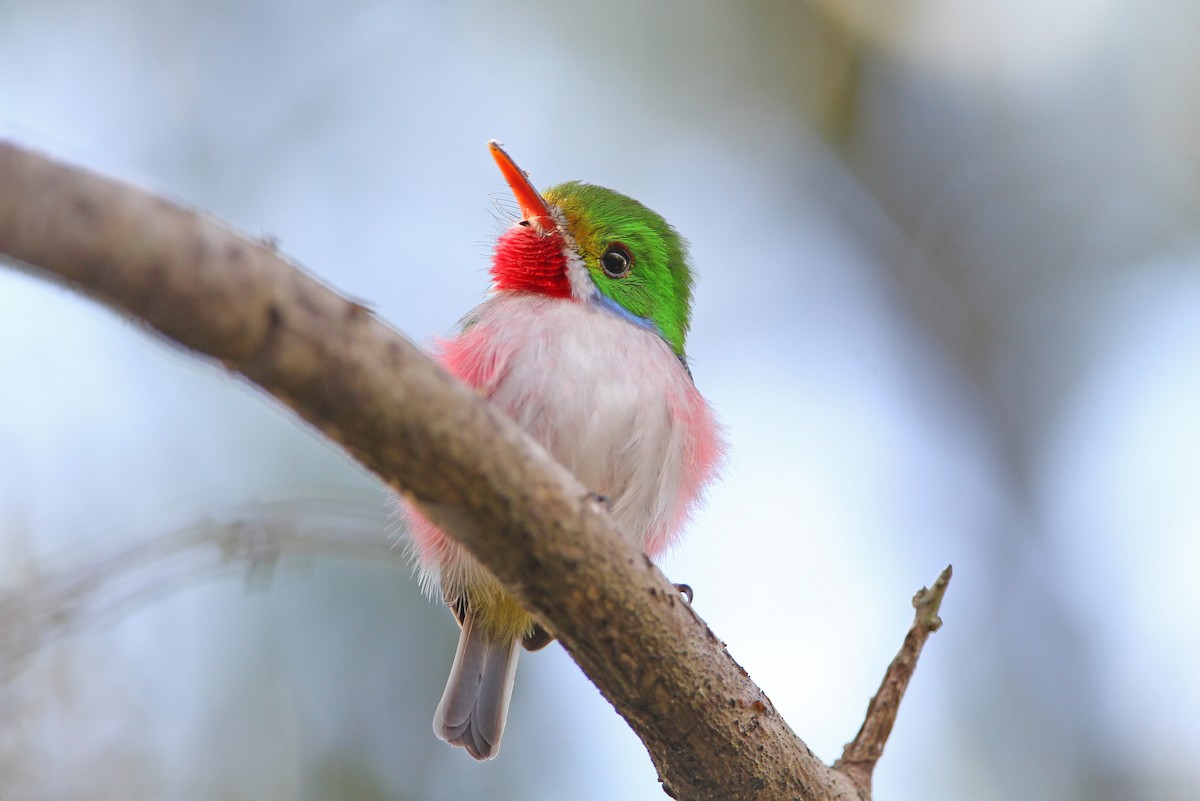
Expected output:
(637, 262)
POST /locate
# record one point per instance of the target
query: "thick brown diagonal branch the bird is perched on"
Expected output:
(711, 732)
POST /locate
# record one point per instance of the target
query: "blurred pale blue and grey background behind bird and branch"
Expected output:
(949, 309)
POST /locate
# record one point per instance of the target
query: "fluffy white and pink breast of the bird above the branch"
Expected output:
(608, 399)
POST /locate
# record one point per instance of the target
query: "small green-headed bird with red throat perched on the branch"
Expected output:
(581, 344)
